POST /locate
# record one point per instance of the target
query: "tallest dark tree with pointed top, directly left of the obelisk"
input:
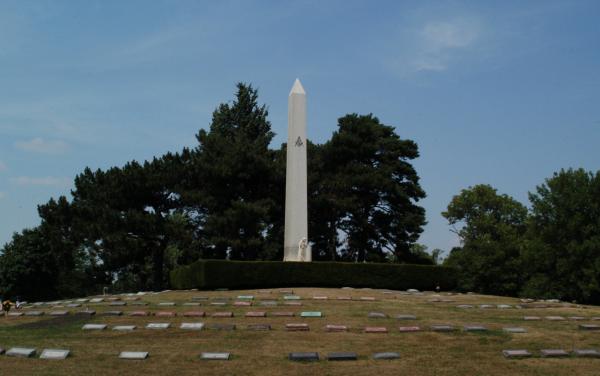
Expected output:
(232, 186)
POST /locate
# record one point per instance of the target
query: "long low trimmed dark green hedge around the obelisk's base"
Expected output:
(210, 274)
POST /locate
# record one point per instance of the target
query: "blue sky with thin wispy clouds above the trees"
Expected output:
(503, 93)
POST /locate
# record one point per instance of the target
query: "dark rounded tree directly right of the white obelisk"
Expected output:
(372, 190)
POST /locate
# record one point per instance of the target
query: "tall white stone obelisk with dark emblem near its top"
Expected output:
(295, 244)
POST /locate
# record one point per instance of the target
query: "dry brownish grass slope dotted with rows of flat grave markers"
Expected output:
(272, 351)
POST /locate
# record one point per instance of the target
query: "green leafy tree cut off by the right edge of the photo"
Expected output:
(563, 250)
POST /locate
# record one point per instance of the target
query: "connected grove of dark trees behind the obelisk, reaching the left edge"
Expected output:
(126, 227)
